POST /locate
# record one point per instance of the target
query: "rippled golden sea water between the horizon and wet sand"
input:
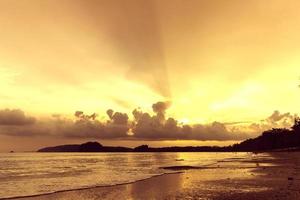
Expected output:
(23, 174)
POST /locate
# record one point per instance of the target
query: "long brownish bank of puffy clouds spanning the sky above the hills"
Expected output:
(143, 126)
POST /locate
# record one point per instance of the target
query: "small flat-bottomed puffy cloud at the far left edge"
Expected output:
(15, 117)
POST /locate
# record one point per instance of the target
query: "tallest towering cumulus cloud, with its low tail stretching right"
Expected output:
(158, 127)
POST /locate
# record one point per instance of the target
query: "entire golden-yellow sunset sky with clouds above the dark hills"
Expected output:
(172, 72)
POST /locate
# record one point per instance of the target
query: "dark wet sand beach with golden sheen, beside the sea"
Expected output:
(264, 176)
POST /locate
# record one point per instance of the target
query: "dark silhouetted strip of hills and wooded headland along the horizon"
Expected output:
(271, 140)
